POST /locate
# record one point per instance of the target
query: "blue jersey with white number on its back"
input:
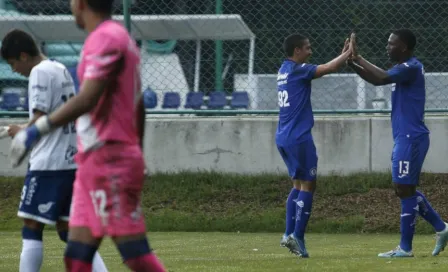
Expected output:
(294, 99)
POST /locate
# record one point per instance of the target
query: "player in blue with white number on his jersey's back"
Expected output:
(293, 137)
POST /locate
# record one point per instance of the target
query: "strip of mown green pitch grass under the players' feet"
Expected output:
(247, 252)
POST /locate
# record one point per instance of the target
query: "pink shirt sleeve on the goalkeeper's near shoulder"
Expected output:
(102, 57)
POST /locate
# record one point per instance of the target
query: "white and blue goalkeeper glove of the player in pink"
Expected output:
(26, 139)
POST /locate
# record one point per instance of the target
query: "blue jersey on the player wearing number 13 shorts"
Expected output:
(408, 100)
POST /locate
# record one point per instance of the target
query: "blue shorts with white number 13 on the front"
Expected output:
(407, 159)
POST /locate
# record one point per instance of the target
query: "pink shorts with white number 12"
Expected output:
(107, 191)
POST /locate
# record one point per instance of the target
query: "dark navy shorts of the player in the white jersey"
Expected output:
(47, 195)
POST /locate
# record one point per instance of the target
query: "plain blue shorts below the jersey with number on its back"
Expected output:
(301, 160)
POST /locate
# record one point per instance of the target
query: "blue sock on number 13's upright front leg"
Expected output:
(409, 210)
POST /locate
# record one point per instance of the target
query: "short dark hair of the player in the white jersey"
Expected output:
(16, 42)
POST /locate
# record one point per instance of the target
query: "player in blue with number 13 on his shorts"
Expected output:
(410, 134)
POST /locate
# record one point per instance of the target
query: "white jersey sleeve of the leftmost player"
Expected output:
(39, 91)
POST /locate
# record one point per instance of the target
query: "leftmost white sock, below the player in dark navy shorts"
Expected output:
(32, 255)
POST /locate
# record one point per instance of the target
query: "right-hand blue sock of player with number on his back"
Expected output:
(304, 204)
